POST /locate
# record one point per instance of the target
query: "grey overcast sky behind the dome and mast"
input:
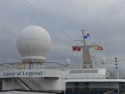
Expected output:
(63, 19)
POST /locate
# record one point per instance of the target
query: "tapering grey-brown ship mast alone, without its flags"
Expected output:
(87, 60)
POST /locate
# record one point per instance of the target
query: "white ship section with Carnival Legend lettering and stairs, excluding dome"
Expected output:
(19, 77)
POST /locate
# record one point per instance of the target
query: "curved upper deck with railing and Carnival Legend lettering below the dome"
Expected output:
(48, 69)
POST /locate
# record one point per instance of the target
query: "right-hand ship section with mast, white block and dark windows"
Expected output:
(92, 80)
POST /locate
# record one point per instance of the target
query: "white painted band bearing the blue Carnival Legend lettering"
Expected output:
(33, 73)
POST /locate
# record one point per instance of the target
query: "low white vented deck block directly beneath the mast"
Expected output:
(88, 73)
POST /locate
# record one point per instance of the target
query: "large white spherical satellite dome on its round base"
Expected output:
(33, 43)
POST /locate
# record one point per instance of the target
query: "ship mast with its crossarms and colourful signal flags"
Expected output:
(87, 60)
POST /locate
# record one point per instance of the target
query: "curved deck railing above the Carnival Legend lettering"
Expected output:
(43, 65)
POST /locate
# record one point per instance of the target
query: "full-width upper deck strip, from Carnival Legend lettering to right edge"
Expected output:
(53, 69)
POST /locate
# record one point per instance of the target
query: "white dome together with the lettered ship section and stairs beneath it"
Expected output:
(33, 74)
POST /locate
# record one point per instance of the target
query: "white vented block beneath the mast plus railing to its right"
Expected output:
(94, 74)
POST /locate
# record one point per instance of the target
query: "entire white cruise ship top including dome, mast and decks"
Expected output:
(36, 76)
